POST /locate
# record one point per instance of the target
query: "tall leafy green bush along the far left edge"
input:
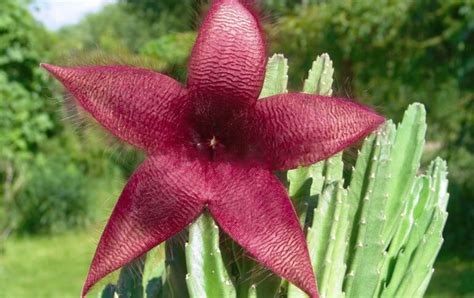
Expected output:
(27, 114)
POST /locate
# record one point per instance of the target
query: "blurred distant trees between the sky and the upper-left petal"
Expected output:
(116, 36)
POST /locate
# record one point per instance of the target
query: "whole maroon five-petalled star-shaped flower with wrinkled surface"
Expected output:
(212, 145)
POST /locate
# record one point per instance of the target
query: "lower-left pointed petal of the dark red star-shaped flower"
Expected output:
(159, 201)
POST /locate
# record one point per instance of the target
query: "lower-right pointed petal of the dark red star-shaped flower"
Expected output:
(254, 209)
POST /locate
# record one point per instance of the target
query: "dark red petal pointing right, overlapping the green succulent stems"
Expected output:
(299, 129)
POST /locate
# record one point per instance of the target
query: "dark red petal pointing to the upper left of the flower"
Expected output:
(139, 106)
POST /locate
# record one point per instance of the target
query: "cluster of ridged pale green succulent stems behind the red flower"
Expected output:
(379, 237)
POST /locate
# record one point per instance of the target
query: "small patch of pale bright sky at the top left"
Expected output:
(57, 13)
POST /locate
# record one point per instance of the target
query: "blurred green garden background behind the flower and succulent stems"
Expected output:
(60, 174)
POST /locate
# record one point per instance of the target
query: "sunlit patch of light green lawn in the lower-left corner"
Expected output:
(46, 266)
